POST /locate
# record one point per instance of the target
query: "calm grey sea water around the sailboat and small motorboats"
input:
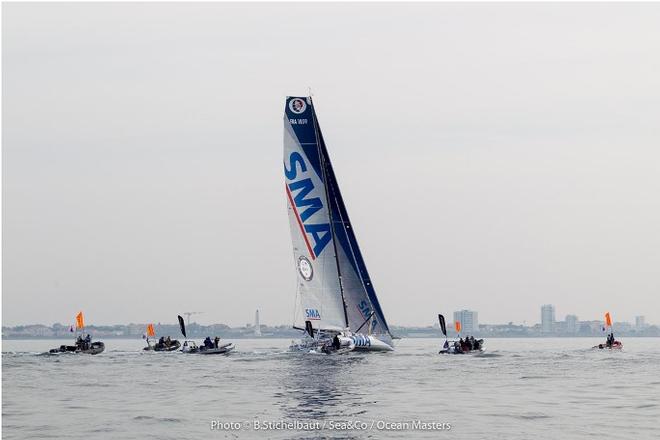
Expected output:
(518, 389)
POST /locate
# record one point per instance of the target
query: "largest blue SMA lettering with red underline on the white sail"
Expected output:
(300, 191)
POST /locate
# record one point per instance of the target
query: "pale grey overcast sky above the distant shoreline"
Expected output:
(494, 157)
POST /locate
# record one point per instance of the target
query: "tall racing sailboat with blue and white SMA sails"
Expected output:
(336, 299)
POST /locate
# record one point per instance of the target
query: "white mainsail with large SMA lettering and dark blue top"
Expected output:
(309, 219)
